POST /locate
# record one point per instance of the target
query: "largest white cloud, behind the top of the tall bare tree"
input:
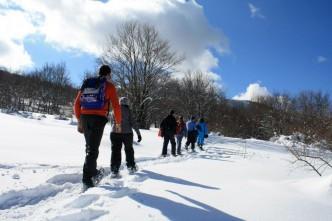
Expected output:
(84, 24)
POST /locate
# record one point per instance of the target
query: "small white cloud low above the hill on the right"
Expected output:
(254, 91)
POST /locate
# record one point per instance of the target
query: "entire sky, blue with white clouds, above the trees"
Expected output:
(249, 47)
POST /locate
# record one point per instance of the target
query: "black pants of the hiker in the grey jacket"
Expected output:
(117, 140)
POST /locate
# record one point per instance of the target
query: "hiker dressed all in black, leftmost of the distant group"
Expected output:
(168, 131)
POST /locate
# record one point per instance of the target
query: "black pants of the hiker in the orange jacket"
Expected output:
(93, 126)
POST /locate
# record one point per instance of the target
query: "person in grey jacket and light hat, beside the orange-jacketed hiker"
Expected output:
(124, 137)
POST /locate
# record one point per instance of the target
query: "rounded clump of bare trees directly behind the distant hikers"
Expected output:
(194, 94)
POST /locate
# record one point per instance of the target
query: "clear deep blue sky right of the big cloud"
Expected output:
(279, 49)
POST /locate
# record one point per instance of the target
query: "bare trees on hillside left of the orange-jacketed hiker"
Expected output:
(44, 90)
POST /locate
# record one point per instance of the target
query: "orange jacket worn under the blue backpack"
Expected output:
(110, 97)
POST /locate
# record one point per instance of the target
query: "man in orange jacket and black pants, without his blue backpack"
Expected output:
(91, 122)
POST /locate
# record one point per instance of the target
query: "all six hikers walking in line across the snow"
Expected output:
(92, 107)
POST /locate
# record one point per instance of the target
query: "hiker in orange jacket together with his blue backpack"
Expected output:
(91, 108)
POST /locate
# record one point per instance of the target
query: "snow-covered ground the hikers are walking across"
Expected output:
(234, 179)
